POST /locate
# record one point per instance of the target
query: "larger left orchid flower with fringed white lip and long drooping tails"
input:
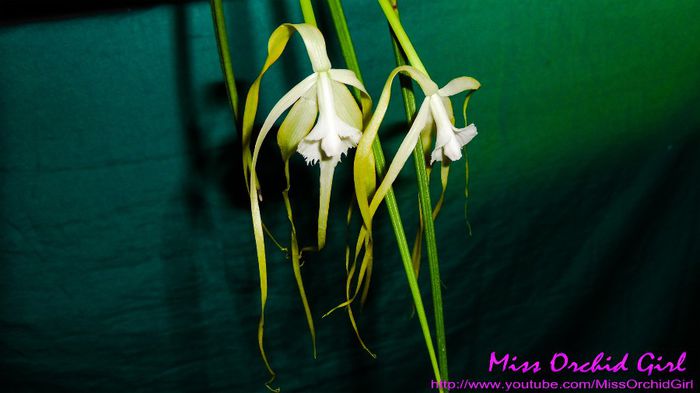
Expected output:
(324, 122)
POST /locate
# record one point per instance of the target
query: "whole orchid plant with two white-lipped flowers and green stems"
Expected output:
(324, 121)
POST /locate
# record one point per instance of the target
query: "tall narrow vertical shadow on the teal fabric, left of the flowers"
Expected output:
(183, 283)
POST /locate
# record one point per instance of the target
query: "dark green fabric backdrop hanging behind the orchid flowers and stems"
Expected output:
(127, 261)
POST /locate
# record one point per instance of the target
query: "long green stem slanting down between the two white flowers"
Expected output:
(392, 206)
